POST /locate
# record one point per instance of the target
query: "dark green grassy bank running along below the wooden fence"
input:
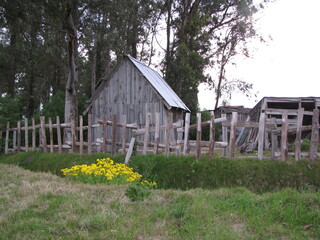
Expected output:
(186, 173)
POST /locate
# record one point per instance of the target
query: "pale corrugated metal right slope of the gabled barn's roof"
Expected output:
(160, 85)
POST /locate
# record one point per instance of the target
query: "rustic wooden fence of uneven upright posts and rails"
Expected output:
(48, 136)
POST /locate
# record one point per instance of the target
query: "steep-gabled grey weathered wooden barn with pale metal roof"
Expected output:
(133, 89)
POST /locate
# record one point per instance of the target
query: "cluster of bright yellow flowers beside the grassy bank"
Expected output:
(105, 168)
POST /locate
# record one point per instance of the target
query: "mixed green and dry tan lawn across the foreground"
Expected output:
(45, 206)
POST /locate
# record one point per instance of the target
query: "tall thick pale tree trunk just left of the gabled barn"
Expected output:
(71, 104)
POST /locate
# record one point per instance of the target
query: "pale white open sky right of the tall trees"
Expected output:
(286, 66)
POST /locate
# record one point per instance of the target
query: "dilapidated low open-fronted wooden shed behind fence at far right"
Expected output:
(272, 110)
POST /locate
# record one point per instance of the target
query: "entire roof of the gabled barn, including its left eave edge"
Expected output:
(159, 84)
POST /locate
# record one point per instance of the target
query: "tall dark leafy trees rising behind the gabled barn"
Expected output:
(48, 47)
